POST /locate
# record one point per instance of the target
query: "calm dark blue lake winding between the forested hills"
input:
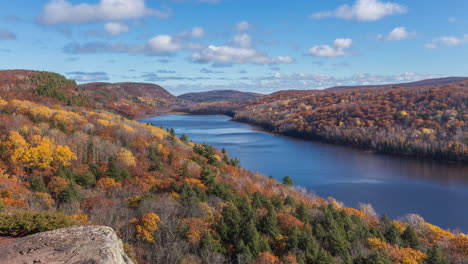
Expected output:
(393, 185)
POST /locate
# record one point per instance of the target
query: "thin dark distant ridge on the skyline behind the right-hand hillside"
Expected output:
(427, 82)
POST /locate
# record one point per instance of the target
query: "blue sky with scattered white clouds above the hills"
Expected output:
(250, 45)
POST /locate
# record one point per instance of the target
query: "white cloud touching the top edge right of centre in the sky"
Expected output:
(363, 10)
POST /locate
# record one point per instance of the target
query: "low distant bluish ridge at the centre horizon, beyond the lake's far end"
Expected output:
(219, 95)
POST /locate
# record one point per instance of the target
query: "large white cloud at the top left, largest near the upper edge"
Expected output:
(62, 11)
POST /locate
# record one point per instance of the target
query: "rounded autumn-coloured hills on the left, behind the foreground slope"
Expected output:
(128, 99)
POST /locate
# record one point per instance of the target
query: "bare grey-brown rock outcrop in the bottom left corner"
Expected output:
(73, 245)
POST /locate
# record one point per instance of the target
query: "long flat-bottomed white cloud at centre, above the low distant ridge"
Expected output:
(236, 55)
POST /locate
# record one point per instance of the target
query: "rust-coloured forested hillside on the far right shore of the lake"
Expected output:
(428, 122)
